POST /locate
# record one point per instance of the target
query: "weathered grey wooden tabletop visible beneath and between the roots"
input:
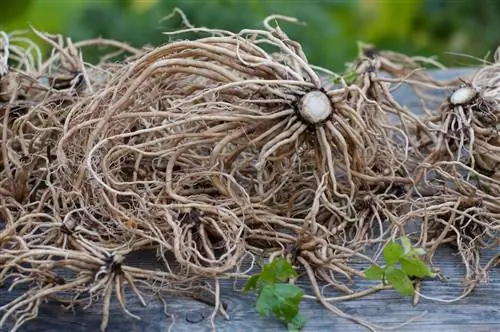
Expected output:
(480, 311)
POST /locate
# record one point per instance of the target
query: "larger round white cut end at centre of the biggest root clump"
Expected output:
(315, 107)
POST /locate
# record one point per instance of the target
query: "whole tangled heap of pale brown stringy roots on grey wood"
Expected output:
(217, 151)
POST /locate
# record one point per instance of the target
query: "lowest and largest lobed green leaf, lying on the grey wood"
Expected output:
(281, 299)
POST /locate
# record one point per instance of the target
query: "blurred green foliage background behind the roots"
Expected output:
(415, 27)
